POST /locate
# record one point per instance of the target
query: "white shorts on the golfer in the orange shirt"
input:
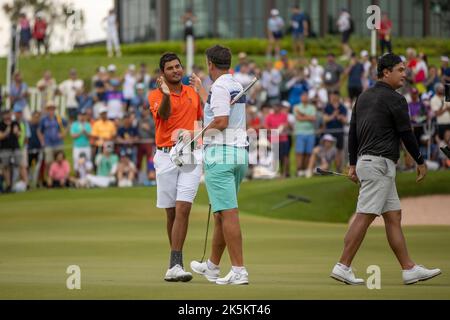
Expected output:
(172, 184)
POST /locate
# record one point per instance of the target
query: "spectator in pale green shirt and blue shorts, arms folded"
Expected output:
(305, 115)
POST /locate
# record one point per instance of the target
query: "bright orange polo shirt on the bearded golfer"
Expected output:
(186, 109)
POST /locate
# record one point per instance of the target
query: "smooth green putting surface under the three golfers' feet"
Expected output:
(117, 237)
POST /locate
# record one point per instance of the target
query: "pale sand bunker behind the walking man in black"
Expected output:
(426, 210)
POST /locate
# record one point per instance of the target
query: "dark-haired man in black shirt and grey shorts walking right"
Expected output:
(379, 121)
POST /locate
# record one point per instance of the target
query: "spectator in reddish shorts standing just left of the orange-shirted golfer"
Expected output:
(146, 130)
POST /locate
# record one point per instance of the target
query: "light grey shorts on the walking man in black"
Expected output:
(377, 193)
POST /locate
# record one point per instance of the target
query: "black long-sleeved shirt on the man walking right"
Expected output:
(378, 118)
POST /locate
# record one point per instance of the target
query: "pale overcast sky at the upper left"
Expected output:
(94, 11)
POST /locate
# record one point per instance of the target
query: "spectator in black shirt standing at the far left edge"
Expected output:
(10, 155)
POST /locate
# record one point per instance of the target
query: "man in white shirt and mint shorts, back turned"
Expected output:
(225, 165)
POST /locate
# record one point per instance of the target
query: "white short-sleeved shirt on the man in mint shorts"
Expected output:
(223, 90)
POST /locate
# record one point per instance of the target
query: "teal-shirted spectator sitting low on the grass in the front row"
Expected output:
(106, 163)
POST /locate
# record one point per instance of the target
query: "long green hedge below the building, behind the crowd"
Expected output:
(253, 46)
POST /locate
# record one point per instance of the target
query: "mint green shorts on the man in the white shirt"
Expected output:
(225, 167)
